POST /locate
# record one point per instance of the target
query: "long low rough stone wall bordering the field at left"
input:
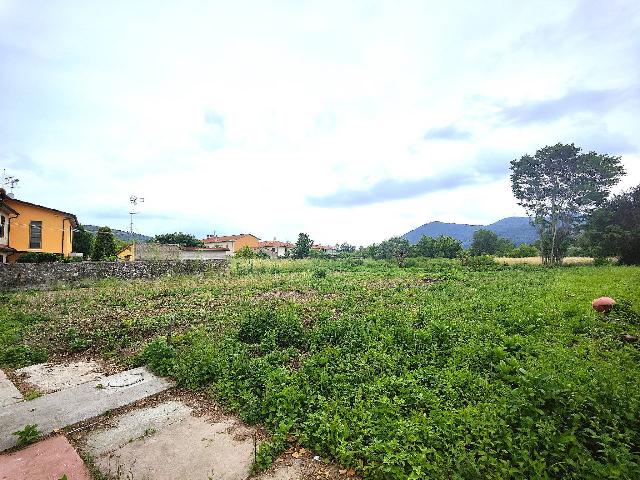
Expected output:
(13, 275)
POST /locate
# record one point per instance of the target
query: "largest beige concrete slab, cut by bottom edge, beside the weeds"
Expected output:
(192, 448)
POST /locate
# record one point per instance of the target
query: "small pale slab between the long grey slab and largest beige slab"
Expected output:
(134, 425)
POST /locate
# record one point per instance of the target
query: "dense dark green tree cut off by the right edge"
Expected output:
(614, 229)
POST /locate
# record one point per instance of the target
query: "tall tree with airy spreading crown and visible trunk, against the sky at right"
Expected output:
(559, 187)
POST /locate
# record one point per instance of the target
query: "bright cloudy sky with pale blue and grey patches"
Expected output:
(351, 121)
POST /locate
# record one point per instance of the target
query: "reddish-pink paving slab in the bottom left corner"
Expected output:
(49, 459)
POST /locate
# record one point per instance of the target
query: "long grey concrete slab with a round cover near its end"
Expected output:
(75, 404)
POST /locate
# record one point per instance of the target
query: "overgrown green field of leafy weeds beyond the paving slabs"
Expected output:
(430, 371)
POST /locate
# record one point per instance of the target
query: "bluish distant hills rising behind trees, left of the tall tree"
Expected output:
(516, 229)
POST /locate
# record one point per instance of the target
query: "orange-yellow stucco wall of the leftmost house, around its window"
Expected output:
(57, 229)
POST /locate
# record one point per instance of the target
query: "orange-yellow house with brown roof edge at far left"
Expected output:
(27, 227)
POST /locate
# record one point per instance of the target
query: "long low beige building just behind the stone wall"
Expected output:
(160, 251)
